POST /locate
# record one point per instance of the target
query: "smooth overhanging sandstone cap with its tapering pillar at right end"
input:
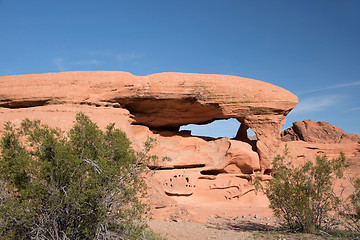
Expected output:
(164, 101)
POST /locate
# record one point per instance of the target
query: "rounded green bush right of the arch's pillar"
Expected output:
(302, 197)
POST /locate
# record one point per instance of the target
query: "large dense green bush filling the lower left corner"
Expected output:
(80, 185)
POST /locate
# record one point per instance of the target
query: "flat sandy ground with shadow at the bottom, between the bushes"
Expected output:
(229, 229)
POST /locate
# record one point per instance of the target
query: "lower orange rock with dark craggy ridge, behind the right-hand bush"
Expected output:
(307, 139)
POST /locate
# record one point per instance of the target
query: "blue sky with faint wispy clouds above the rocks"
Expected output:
(310, 47)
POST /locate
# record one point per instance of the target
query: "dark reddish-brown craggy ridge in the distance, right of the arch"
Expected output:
(319, 132)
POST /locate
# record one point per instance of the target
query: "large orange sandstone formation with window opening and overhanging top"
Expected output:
(201, 169)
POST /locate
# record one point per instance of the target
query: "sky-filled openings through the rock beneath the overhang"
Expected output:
(216, 129)
